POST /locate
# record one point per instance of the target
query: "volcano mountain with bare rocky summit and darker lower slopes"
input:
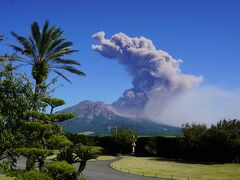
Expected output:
(99, 118)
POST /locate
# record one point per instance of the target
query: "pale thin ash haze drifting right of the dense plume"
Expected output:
(206, 104)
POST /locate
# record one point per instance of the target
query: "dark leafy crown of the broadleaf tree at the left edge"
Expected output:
(16, 97)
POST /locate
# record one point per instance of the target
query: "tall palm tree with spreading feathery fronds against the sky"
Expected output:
(44, 50)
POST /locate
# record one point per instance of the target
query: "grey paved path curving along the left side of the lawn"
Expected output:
(101, 170)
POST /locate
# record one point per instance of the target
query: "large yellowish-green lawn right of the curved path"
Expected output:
(166, 169)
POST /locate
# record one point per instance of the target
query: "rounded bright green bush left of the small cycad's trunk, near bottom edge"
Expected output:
(61, 170)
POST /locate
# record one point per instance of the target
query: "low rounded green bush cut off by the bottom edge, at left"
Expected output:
(33, 175)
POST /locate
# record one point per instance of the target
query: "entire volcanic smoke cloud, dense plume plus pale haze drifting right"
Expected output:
(161, 91)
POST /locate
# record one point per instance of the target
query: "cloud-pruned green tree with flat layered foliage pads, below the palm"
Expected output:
(41, 133)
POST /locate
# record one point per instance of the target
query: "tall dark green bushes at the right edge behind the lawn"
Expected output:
(217, 143)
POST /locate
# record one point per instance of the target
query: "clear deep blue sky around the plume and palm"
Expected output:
(204, 34)
